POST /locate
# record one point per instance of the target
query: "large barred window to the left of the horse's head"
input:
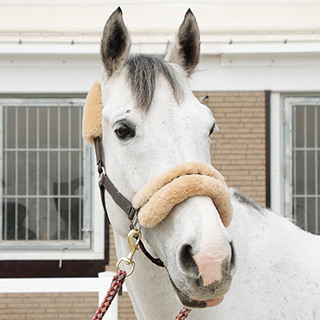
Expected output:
(45, 169)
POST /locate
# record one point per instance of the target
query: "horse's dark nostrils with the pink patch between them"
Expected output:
(205, 265)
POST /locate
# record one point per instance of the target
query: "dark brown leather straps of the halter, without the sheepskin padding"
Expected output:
(105, 184)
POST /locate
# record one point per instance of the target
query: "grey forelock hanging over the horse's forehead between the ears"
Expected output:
(143, 70)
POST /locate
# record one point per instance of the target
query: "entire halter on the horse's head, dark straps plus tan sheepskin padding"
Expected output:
(155, 200)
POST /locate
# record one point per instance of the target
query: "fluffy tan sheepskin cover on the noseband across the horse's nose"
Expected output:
(164, 191)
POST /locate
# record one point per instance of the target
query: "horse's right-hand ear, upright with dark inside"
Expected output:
(185, 49)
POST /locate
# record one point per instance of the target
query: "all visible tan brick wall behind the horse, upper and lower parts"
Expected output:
(237, 151)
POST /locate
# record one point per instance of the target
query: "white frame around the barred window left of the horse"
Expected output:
(92, 246)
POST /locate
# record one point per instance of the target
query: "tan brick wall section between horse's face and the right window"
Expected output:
(238, 151)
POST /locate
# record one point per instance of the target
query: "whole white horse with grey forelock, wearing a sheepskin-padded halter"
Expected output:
(151, 121)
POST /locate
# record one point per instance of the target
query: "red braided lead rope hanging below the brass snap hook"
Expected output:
(116, 284)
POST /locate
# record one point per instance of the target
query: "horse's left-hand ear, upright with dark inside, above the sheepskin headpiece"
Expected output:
(115, 43)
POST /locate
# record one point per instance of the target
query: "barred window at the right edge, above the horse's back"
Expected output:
(301, 159)
